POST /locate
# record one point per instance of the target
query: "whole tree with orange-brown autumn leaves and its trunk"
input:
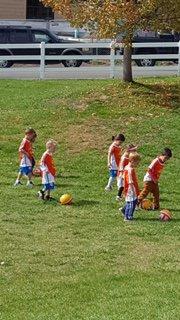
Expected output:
(120, 17)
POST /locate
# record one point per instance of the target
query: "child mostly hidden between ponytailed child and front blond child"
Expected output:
(123, 163)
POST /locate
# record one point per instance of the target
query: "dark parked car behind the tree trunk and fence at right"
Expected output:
(149, 37)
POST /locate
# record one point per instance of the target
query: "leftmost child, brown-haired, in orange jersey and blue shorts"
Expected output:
(26, 156)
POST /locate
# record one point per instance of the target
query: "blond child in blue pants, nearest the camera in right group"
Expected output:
(131, 188)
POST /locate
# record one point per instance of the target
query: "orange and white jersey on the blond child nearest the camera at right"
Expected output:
(130, 179)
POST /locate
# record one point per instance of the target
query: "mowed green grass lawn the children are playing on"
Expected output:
(83, 261)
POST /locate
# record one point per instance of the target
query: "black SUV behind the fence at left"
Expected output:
(25, 35)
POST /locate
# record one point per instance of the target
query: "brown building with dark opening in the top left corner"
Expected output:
(25, 9)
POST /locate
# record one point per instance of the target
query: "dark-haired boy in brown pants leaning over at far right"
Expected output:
(152, 177)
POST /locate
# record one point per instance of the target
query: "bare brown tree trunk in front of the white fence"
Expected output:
(127, 63)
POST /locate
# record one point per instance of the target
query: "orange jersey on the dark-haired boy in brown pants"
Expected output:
(154, 170)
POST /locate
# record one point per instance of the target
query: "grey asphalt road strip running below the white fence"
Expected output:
(84, 72)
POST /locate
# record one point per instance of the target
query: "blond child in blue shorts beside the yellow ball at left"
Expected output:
(48, 170)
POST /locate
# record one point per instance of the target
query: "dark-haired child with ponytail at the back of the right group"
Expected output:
(114, 156)
